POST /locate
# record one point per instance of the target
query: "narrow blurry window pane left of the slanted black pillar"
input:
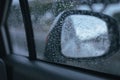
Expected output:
(16, 30)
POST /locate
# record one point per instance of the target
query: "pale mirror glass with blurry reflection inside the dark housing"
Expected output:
(84, 36)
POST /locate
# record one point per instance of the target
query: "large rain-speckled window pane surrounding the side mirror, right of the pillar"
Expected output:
(44, 12)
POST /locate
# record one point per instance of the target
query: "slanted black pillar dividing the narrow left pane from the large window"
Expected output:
(28, 28)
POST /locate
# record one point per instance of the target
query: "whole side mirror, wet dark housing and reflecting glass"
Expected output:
(82, 35)
